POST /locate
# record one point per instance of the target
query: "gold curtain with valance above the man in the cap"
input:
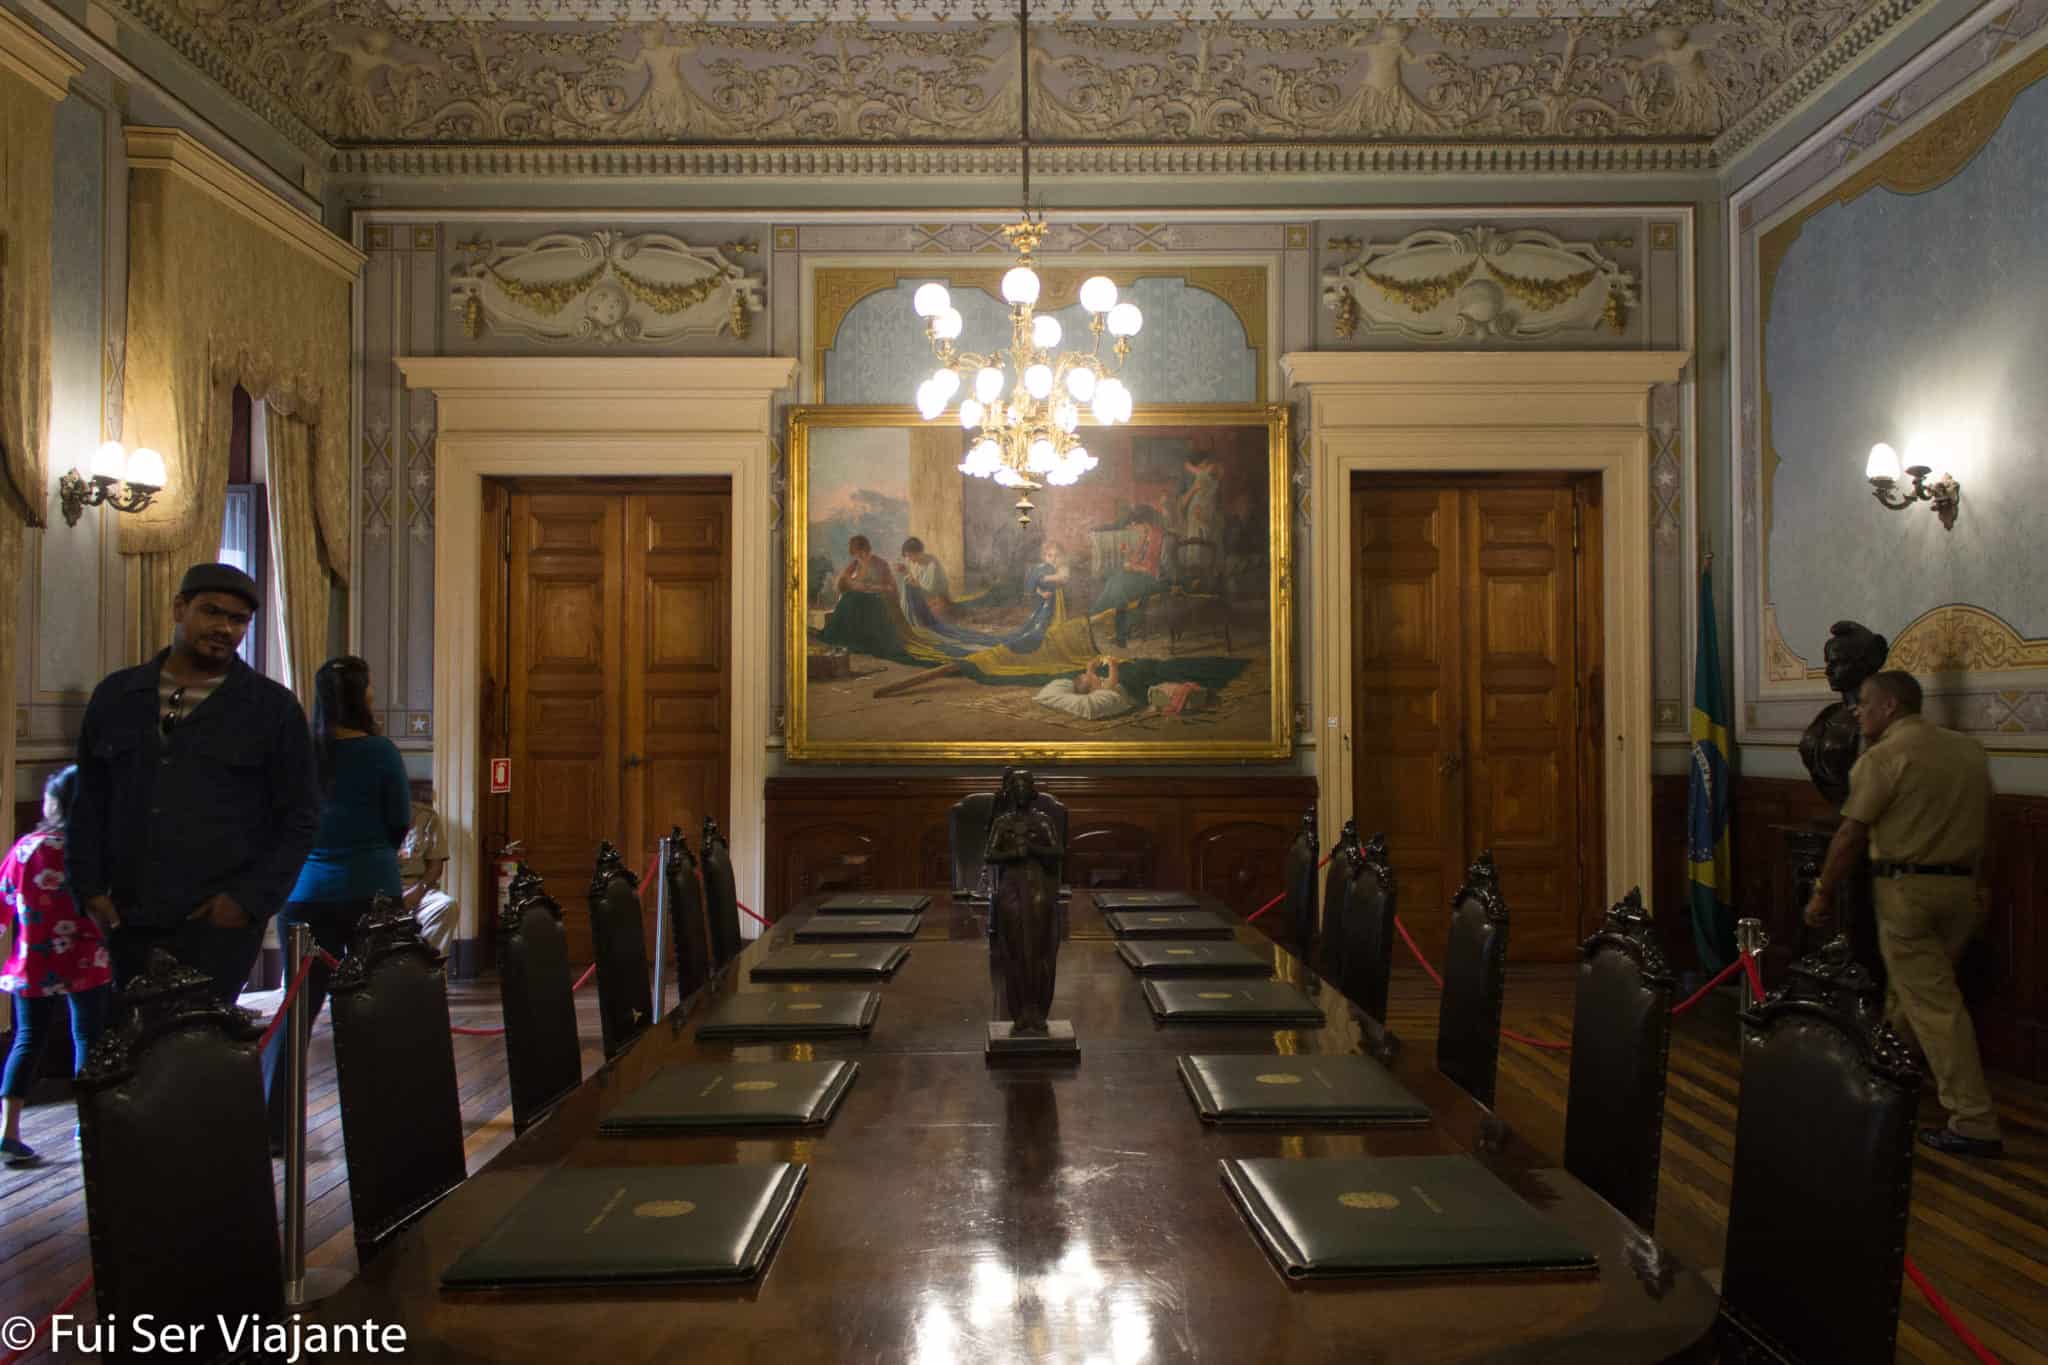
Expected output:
(220, 298)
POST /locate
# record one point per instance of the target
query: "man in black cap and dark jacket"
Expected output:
(198, 795)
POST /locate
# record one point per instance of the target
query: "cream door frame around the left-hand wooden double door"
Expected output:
(546, 416)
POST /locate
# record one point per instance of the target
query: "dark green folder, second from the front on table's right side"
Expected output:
(1297, 1090)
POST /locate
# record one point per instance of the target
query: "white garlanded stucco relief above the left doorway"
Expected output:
(603, 288)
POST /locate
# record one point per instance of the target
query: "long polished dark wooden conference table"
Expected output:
(990, 1215)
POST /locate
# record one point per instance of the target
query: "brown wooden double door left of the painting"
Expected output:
(617, 682)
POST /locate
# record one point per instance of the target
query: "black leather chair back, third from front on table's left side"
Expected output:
(544, 1055)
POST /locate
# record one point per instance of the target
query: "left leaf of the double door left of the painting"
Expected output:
(566, 719)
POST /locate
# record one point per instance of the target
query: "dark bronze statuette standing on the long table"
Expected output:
(1025, 926)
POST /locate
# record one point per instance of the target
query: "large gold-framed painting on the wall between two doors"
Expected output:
(1142, 615)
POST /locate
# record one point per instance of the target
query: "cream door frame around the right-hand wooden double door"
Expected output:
(1471, 412)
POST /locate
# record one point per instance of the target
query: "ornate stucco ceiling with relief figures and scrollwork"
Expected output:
(1654, 85)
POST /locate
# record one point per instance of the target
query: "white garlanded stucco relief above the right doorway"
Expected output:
(1480, 283)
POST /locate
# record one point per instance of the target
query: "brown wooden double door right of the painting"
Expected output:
(1476, 676)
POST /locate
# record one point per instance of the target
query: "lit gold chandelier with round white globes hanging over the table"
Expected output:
(1027, 402)
